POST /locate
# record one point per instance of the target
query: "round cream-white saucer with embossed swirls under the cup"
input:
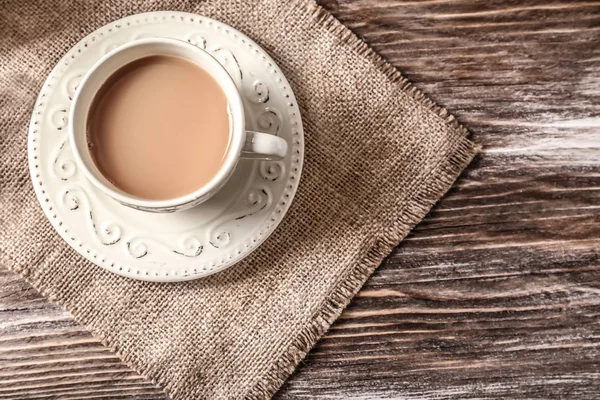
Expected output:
(183, 245)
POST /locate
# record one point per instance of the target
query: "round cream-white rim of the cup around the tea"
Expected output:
(236, 112)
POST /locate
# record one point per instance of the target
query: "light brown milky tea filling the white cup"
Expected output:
(159, 128)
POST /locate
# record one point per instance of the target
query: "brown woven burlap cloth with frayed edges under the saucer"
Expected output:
(378, 156)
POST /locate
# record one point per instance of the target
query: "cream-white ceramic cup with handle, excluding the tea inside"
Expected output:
(246, 144)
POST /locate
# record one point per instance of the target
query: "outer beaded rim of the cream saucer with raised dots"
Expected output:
(235, 254)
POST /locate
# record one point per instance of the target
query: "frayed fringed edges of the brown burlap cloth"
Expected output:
(419, 205)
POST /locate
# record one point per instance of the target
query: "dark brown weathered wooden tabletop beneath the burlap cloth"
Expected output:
(496, 294)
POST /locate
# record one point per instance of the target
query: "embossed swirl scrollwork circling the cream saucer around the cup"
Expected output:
(108, 233)
